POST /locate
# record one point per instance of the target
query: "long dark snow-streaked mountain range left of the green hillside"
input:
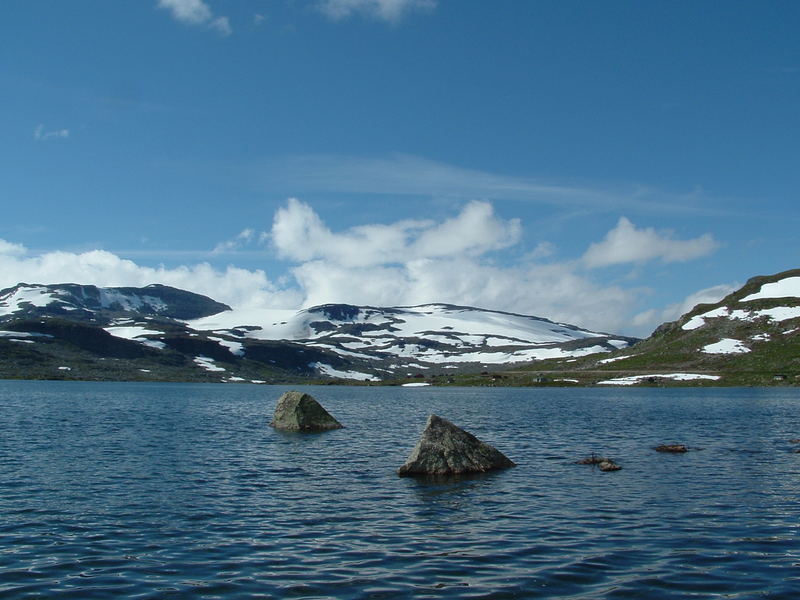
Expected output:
(159, 332)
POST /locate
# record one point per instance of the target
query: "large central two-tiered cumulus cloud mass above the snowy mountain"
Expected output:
(416, 262)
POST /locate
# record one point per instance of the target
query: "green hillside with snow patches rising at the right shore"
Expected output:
(750, 337)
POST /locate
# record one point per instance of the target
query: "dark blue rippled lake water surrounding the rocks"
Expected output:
(183, 491)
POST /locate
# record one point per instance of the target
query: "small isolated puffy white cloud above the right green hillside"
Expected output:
(627, 244)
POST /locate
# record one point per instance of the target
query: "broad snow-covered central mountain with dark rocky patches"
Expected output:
(415, 337)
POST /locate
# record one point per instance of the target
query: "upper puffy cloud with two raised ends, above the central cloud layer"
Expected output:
(299, 234)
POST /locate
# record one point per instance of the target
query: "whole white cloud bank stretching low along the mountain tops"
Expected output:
(452, 260)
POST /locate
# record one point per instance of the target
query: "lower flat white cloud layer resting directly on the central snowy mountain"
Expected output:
(556, 292)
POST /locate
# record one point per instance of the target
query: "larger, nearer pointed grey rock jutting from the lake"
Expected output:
(444, 449)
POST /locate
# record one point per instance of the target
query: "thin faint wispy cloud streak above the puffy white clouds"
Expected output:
(416, 176)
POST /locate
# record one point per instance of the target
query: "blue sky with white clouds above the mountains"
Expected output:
(605, 164)
